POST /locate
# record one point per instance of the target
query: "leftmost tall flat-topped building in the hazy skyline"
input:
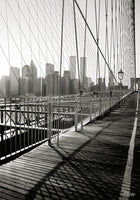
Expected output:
(14, 81)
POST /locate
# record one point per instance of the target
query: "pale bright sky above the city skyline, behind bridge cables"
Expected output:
(41, 43)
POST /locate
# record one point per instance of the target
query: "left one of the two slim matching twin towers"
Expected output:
(72, 67)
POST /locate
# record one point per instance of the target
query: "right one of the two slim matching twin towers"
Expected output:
(83, 70)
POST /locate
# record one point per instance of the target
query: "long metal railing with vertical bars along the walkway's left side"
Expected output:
(26, 122)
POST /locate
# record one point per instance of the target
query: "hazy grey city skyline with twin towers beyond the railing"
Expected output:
(27, 80)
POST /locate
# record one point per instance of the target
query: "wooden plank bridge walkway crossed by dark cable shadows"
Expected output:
(88, 164)
